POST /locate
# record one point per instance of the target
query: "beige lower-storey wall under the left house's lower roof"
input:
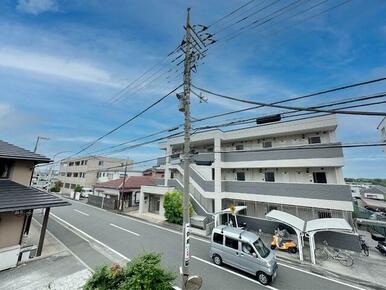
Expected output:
(11, 227)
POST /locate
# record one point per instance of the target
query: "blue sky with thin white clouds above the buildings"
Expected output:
(63, 61)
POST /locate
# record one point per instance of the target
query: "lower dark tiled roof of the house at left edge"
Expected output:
(14, 196)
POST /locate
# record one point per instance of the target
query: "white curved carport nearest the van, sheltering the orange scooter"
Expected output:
(292, 221)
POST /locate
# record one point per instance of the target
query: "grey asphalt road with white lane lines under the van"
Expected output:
(127, 237)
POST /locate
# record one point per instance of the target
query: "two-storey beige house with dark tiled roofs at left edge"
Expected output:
(18, 201)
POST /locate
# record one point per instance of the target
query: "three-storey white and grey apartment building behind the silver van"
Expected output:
(293, 166)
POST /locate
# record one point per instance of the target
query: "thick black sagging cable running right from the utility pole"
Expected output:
(291, 107)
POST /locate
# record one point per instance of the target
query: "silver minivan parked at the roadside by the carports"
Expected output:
(243, 250)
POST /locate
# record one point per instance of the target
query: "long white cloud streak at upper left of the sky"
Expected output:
(56, 66)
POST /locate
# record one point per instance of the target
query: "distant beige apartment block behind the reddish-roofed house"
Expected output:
(84, 171)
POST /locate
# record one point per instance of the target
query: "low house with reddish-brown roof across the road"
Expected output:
(108, 194)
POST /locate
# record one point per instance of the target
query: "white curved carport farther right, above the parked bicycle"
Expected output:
(326, 224)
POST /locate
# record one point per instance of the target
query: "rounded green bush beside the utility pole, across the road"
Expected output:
(173, 207)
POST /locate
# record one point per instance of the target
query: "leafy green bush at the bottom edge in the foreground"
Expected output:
(142, 273)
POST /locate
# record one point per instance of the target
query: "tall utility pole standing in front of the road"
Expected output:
(186, 100)
